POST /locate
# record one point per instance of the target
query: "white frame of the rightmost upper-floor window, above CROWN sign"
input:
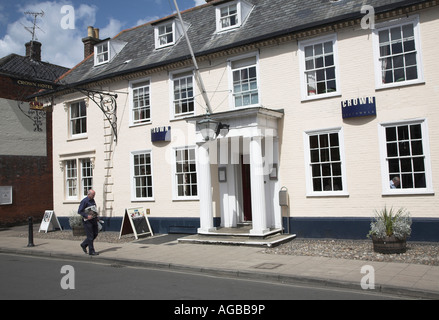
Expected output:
(376, 50)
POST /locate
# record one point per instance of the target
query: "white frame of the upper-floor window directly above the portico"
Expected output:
(232, 100)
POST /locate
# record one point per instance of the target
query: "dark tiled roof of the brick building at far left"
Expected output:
(22, 67)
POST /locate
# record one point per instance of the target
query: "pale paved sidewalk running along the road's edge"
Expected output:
(165, 252)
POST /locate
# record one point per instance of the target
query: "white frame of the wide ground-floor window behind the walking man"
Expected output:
(78, 178)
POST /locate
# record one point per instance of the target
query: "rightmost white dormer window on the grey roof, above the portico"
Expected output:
(232, 15)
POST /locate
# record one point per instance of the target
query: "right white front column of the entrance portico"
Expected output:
(259, 219)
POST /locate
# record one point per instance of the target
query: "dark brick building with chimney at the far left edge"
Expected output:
(25, 136)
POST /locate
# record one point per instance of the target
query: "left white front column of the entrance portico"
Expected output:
(205, 190)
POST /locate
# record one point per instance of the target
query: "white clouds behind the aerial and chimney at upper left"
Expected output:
(59, 45)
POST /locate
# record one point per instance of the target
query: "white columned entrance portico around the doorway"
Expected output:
(245, 157)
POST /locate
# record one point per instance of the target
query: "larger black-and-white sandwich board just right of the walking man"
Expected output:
(135, 221)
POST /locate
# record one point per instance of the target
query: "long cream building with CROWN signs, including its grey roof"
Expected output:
(321, 106)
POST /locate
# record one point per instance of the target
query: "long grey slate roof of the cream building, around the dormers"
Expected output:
(268, 19)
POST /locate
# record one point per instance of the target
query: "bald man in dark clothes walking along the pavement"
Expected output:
(90, 222)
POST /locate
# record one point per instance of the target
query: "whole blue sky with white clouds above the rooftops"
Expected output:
(62, 43)
